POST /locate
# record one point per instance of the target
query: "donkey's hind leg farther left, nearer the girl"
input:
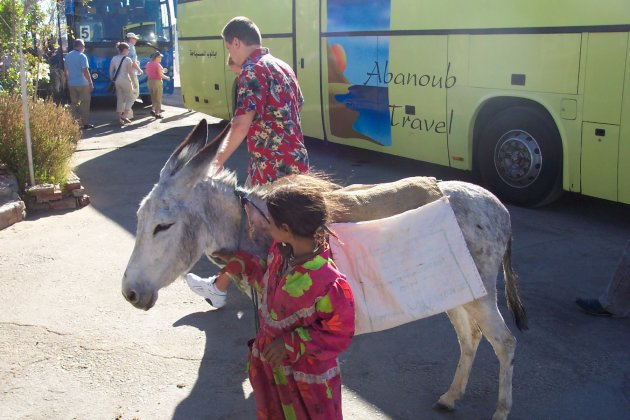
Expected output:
(469, 336)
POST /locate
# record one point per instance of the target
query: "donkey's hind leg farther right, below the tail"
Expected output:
(486, 314)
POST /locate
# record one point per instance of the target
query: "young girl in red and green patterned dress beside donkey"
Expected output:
(306, 310)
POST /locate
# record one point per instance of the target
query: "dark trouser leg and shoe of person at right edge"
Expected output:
(615, 301)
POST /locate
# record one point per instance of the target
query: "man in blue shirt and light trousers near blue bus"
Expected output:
(80, 83)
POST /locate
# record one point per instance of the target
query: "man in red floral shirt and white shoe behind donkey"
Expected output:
(267, 113)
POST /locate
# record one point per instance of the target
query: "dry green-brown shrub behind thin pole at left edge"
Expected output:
(54, 135)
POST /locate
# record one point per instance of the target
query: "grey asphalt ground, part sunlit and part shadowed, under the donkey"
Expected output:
(72, 348)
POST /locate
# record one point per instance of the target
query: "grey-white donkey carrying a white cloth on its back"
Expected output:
(193, 209)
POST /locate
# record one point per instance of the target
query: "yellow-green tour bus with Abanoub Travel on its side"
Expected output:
(532, 95)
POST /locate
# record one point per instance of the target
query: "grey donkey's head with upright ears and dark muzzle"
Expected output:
(171, 233)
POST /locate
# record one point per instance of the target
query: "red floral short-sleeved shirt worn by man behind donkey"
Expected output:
(275, 141)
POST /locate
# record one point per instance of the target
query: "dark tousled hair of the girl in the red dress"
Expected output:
(302, 202)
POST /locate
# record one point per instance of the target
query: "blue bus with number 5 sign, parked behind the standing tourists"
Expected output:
(103, 23)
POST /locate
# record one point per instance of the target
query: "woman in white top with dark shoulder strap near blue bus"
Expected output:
(124, 89)
